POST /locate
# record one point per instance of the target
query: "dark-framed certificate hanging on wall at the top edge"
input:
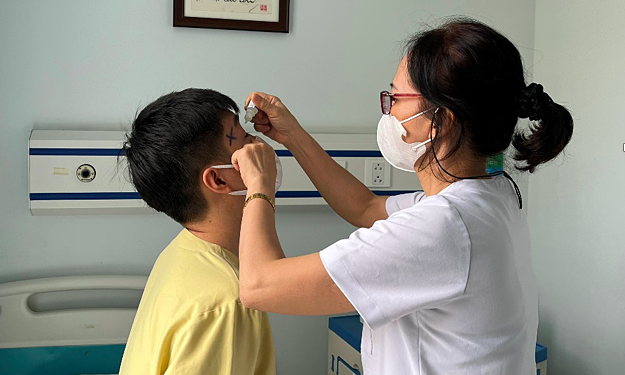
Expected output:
(253, 15)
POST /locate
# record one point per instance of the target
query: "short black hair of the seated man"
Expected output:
(172, 140)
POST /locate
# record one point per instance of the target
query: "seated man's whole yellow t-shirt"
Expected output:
(191, 321)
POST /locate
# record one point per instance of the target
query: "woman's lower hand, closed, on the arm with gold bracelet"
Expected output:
(256, 162)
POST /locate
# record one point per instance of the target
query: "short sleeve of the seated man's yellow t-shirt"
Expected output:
(228, 341)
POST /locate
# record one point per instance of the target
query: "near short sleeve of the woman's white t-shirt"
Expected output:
(416, 259)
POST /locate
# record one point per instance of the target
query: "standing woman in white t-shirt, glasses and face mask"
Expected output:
(442, 278)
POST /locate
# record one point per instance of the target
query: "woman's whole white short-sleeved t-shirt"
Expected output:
(445, 284)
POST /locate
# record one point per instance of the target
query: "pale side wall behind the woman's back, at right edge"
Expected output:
(577, 203)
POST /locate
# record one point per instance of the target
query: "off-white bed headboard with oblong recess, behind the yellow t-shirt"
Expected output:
(72, 310)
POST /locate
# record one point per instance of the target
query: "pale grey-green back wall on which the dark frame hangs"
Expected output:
(91, 64)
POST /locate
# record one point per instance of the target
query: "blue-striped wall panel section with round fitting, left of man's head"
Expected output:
(78, 172)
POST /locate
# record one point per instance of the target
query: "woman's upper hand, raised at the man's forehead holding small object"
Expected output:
(274, 119)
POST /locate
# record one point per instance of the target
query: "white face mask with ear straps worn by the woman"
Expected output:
(398, 153)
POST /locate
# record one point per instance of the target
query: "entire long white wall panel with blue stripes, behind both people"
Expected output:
(85, 172)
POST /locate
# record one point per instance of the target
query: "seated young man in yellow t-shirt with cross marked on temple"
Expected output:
(190, 319)
